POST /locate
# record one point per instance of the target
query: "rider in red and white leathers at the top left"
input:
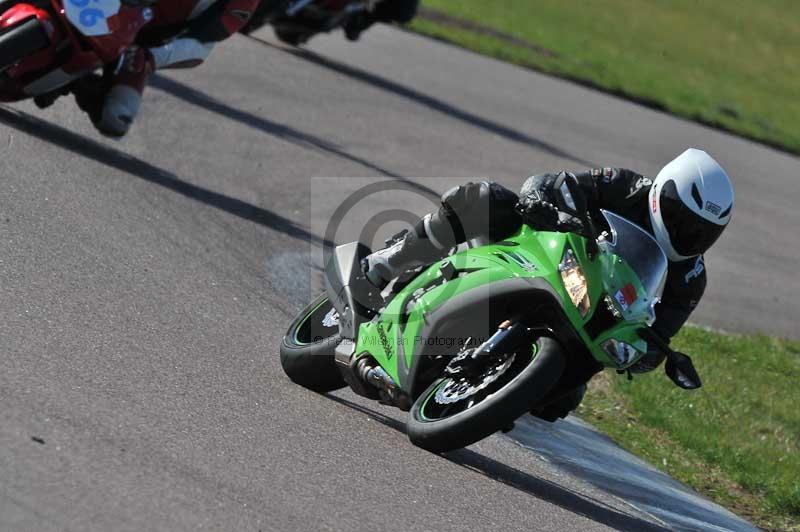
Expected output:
(199, 24)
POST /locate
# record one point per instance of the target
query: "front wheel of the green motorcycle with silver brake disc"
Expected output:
(458, 411)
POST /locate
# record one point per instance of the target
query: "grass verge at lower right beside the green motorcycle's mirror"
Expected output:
(736, 440)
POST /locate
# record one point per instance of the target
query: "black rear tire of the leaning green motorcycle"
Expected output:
(307, 350)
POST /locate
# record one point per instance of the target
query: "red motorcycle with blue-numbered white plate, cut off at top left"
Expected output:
(47, 45)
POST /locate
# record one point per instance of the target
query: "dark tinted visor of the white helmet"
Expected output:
(689, 233)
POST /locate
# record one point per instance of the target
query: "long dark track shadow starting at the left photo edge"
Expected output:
(123, 162)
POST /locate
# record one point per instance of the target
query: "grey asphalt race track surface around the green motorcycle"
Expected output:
(145, 286)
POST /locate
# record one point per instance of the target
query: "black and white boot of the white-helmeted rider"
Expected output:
(418, 247)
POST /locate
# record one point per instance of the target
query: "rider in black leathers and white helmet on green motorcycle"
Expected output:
(686, 208)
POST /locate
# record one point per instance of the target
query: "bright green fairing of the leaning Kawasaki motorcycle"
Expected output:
(529, 254)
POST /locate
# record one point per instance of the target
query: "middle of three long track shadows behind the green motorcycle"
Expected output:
(287, 133)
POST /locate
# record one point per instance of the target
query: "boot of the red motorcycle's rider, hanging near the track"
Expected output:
(121, 104)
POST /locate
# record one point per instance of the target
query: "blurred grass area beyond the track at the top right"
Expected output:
(734, 65)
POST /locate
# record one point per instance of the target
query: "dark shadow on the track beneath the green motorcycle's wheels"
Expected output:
(541, 489)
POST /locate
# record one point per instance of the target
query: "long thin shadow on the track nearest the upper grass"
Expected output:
(430, 102)
